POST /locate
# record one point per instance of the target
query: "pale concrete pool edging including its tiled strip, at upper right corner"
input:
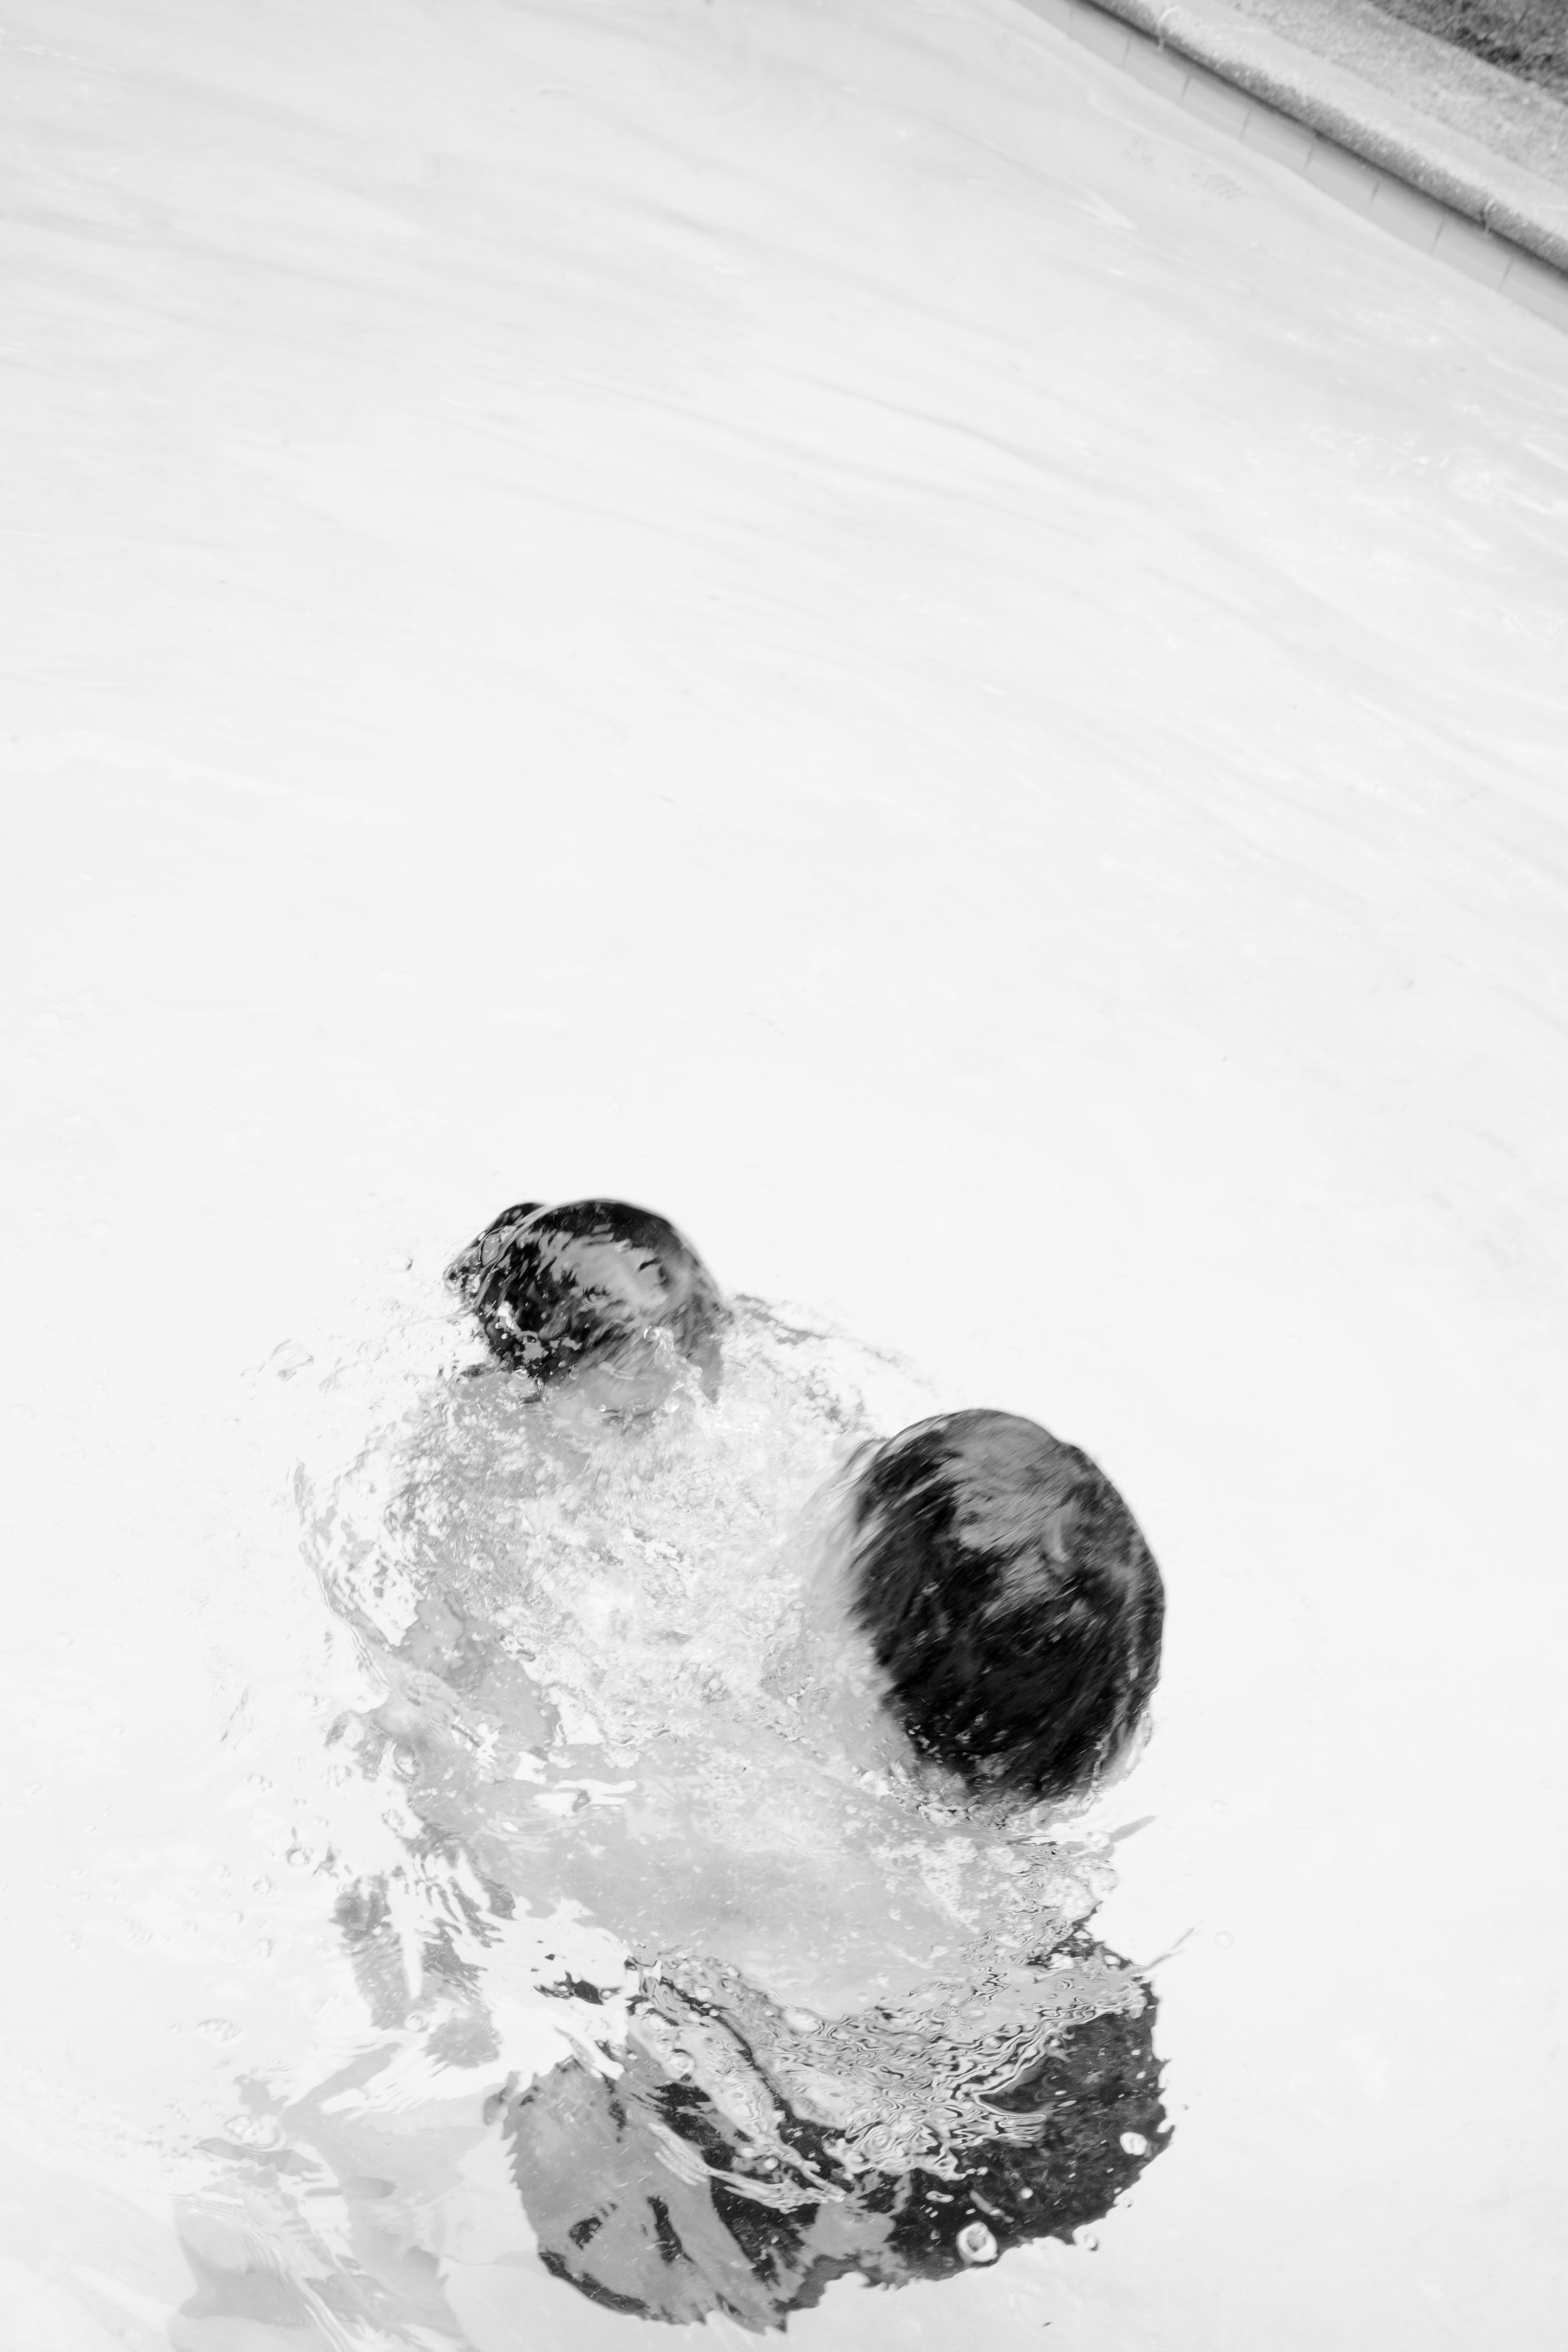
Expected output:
(1449, 154)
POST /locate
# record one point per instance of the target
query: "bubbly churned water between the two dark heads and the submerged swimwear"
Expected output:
(643, 1760)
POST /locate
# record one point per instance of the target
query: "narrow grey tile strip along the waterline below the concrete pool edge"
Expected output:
(1353, 180)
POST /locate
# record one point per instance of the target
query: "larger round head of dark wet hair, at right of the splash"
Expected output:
(1010, 1598)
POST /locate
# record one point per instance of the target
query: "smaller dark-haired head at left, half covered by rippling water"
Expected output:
(587, 1281)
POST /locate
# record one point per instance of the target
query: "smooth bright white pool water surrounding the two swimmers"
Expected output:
(838, 622)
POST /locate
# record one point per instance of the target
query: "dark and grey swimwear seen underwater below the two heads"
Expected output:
(645, 2203)
